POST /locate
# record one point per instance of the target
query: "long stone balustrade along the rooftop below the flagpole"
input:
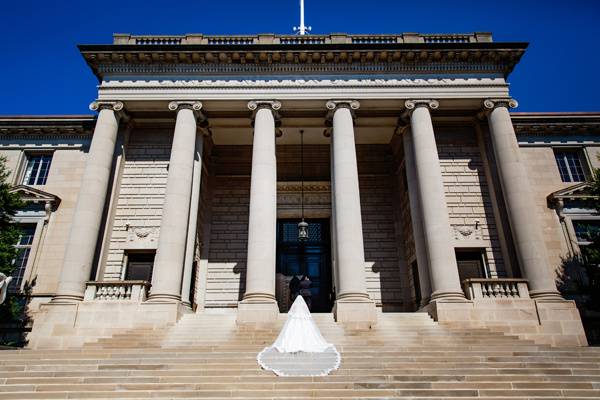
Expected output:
(125, 38)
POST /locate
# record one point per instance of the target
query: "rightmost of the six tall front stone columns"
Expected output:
(521, 209)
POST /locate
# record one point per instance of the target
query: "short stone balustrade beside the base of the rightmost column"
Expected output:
(501, 288)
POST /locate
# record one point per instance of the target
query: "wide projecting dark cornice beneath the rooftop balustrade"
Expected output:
(427, 58)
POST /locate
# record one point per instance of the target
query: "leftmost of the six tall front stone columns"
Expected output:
(87, 219)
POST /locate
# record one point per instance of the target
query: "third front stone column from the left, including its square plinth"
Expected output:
(259, 304)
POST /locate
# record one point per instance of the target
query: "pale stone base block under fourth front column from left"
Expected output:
(355, 313)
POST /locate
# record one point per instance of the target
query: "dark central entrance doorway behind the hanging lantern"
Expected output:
(312, 258)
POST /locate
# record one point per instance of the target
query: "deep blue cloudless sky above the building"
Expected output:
(41, 71)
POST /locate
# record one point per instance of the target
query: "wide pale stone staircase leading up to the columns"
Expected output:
(208, 356)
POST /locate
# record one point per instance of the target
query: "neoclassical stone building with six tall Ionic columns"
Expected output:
(422, 192)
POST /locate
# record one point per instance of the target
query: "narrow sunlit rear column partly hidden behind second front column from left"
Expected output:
(190, 247)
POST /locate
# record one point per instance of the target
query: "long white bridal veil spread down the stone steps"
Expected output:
(300, 349)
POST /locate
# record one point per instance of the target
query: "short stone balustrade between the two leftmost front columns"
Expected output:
(135, 291)
